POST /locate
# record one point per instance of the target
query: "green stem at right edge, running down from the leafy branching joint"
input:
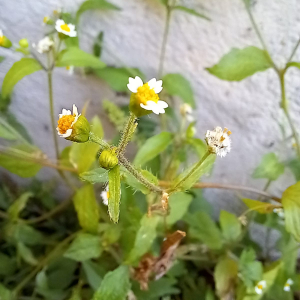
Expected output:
(284, 106)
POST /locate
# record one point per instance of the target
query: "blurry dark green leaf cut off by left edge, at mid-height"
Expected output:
(17, 160)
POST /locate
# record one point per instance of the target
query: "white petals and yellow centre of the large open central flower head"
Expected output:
(146, 94)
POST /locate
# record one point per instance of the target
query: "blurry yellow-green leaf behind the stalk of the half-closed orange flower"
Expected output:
(83, 155)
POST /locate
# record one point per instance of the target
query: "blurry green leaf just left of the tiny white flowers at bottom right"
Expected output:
(250, 269)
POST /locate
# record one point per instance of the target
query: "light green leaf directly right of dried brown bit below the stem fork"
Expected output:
(179, 204)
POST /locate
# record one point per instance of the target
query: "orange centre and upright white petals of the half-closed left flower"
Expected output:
(66, 121)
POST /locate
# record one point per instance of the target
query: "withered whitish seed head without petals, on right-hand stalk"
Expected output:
(218, 141)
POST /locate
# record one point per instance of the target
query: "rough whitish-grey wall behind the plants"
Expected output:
(133, 37)
